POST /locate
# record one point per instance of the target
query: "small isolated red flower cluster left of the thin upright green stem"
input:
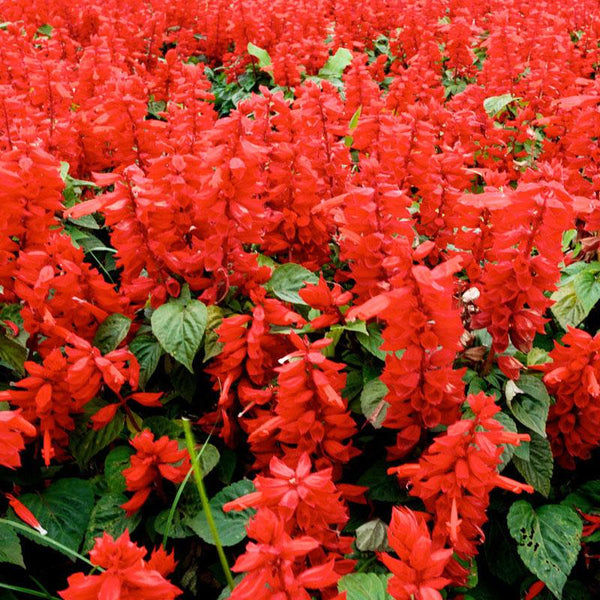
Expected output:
(153, 462)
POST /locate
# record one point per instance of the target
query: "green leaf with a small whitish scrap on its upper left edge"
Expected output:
(529, 402)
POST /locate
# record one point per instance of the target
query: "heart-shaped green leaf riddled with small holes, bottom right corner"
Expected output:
(548, 540)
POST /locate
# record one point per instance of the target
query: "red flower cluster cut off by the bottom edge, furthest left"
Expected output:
(127, 576)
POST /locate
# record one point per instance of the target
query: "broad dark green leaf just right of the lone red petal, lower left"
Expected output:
(63, 509)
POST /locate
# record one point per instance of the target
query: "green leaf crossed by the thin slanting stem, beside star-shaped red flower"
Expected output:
(231, 526)
